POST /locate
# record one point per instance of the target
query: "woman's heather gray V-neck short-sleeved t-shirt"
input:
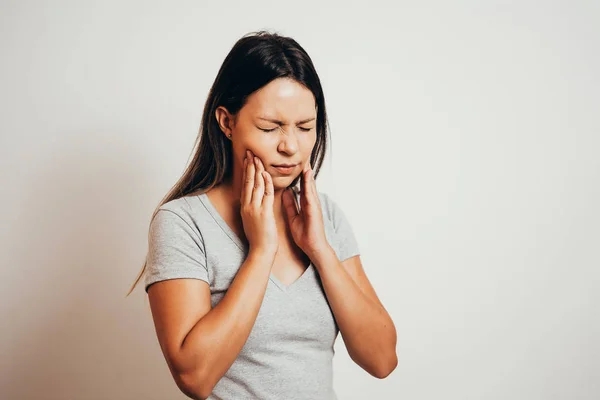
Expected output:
(289, 352)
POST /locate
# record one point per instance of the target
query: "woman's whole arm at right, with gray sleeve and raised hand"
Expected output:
(367, 329)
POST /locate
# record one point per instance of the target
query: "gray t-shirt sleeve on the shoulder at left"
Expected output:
(175, 250)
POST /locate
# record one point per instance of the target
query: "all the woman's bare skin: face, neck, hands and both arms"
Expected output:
(201, 342)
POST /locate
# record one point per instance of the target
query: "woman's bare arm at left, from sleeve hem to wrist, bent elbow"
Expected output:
(200, 343)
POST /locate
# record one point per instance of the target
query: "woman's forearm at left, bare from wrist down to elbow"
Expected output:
(215, 341)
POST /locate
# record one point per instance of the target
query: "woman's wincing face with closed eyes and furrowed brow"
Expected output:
(278, 125)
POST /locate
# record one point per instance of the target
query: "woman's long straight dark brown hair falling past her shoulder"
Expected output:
(255, 60)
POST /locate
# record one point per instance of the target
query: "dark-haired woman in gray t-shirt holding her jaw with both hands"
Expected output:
(249, 278)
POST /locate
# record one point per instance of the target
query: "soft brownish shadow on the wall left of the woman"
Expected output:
(82, 240)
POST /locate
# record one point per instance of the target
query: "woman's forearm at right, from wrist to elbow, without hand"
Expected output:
(366, 327)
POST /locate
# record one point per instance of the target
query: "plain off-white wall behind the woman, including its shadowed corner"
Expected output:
(465, 152)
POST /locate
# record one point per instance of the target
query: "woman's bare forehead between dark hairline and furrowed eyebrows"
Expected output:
(282, 98)
